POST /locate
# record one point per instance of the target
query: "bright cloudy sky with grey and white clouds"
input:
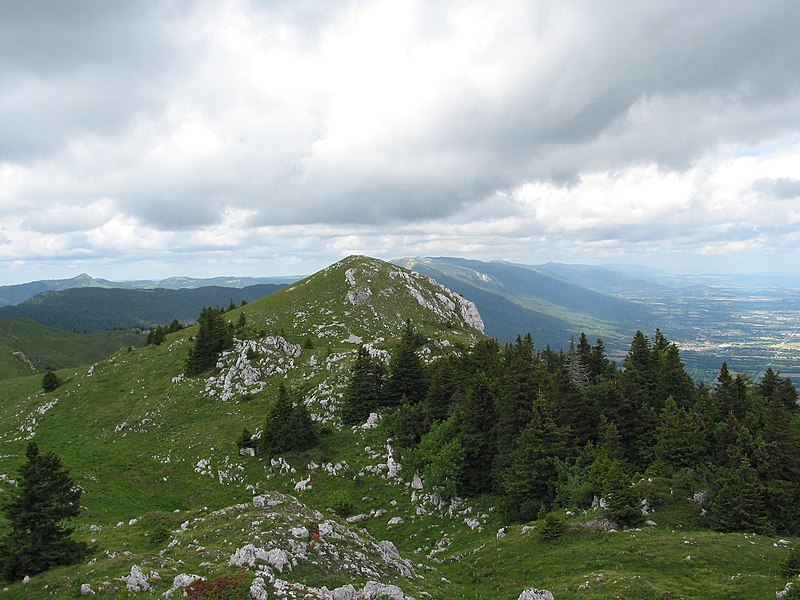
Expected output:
(141, 140)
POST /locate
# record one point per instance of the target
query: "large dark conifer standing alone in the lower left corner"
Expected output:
(37, 508)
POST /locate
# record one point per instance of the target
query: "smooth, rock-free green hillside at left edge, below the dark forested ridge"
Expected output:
(28, 347)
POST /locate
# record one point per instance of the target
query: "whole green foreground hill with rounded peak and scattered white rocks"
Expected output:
(167, 491)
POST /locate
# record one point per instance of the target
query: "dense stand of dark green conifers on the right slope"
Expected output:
(545, 429)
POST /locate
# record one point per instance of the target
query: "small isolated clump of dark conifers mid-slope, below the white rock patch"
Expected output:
(289, 427)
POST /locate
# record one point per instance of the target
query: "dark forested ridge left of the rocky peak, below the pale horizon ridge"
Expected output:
(94, 309)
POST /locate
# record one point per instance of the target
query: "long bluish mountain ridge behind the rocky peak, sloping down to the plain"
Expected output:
(516, 299)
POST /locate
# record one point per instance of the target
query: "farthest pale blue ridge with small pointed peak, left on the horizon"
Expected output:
(15, 294)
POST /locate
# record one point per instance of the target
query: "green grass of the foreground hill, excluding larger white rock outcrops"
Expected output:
(133, 440)
